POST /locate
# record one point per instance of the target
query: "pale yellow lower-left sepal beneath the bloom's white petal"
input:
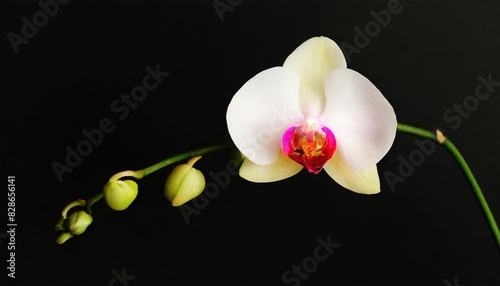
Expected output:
(281, 169)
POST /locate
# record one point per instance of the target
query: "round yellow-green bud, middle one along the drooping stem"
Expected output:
(120, 194)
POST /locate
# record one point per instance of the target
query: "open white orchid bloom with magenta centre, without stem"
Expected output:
(313, 113)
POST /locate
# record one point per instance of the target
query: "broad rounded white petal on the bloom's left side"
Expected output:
(262, 109)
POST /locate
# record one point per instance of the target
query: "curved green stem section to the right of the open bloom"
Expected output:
(448, 145)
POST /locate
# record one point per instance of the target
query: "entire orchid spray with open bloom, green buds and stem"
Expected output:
(312, 112)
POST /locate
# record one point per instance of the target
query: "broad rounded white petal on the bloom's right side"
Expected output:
(363, 121)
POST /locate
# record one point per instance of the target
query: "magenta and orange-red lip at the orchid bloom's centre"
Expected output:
(310, 144)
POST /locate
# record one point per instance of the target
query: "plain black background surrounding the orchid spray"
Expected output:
(429, 231)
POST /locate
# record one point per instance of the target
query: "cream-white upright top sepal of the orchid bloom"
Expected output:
(313, 60)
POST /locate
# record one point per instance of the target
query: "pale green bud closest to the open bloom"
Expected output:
(184, 183)
